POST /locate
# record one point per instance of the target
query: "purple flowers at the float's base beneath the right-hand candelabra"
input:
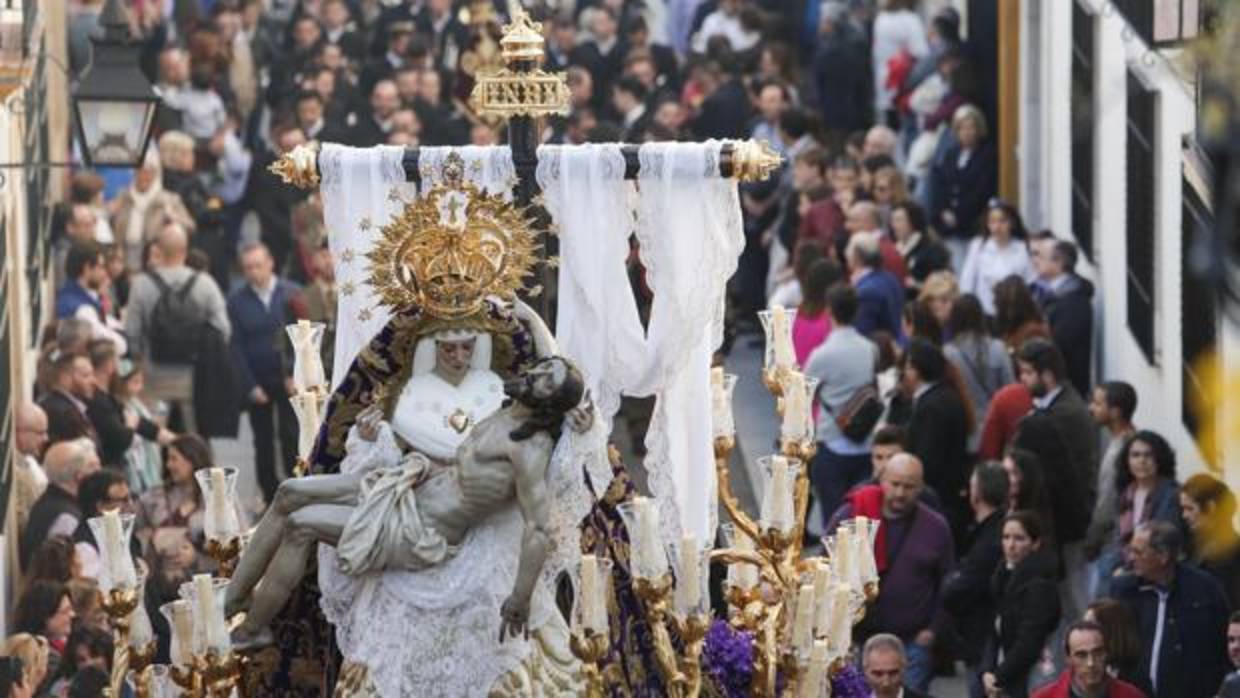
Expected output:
(728, 660)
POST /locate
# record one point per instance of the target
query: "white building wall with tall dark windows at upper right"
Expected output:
(1046, 157)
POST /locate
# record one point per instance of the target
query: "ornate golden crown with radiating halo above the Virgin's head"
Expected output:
(452, 249)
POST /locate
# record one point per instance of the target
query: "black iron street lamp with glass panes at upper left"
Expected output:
(115, 104)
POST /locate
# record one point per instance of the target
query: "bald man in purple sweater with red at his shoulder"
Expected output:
(914, 555)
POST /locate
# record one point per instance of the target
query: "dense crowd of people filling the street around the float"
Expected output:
(1029, 525)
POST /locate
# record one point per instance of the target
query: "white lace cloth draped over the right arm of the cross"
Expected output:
(688, 220)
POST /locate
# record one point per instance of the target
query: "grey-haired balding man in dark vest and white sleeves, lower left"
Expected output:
(58, 513)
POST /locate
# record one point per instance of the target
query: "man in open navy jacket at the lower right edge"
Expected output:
(1182, 616)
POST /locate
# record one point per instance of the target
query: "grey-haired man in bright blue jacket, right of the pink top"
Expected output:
(880, 296)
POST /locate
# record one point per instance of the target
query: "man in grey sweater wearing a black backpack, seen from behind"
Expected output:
(170, 369)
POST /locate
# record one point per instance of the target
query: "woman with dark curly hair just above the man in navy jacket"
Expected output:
(1145, 482)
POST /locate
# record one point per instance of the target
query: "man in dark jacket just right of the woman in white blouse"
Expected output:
(1068, 302)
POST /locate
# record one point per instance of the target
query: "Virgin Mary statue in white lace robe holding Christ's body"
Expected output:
(421, 386)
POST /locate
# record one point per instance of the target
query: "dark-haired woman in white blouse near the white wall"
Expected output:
(999, 252)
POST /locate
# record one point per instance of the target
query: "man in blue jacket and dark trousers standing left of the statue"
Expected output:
(259, 312)
